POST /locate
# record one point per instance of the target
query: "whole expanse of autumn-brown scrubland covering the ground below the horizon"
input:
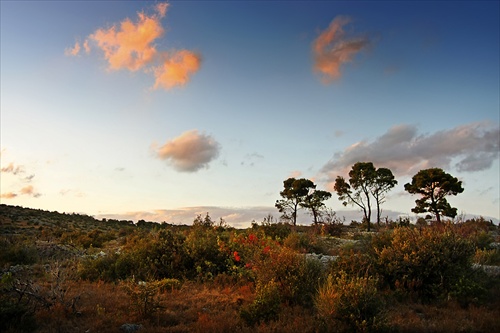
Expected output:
(72, 273)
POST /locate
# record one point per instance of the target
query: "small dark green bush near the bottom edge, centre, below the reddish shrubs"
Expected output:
(266, 305)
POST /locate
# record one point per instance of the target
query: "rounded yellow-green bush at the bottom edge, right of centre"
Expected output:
(353, 301)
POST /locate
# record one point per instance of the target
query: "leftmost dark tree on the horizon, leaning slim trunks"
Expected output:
(294, 193)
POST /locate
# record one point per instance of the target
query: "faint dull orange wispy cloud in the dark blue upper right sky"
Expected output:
(332, 49)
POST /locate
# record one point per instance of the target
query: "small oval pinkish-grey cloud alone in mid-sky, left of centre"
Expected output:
(189, 152)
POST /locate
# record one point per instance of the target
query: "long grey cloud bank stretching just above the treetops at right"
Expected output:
(471, 147)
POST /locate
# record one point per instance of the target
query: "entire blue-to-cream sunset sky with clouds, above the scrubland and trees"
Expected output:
(165, 110)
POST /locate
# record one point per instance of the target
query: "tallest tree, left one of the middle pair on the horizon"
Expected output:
(357, 191)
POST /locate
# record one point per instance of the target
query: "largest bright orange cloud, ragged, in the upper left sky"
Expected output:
(131, 45)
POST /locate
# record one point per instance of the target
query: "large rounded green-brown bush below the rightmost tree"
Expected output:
(425, 262)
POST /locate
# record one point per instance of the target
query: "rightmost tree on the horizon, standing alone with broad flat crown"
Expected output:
(434, 185)
